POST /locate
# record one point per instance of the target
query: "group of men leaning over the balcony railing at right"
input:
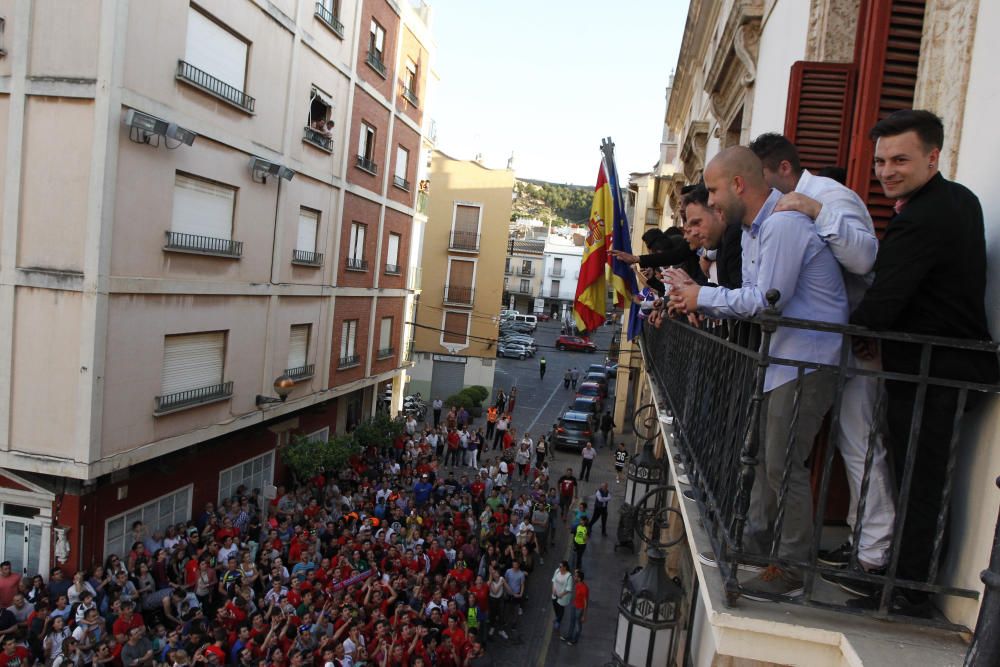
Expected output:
(758, 222)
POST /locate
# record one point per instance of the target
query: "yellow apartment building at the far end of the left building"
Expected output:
(468, 216)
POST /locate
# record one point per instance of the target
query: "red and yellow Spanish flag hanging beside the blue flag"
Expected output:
(591, 289)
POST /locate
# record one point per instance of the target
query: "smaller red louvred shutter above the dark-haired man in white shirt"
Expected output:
(818, 113)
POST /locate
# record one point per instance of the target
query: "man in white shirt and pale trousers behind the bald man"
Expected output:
(842, 221)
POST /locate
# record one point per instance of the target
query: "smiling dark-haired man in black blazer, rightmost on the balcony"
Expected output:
(930, 278)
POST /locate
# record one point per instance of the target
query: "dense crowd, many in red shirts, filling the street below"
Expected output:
(417, 553)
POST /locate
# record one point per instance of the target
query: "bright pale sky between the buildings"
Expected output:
(546, 80)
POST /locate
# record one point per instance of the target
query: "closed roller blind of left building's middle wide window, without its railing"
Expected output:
(202, 208)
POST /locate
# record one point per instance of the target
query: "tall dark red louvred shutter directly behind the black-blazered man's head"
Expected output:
(888, 52)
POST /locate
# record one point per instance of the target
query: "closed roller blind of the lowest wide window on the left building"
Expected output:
(192, 361)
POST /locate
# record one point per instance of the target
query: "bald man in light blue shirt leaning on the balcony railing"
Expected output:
(781, 251)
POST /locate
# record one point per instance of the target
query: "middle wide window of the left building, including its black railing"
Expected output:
(202, 217)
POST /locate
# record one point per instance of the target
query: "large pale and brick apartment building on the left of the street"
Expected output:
(198, 200)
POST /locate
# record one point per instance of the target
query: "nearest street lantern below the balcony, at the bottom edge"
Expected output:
(648, 612)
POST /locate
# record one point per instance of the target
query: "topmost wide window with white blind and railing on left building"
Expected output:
(215, 60)
